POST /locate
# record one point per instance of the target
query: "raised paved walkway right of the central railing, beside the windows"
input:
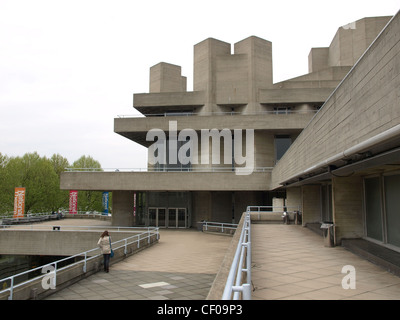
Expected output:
(290, 262)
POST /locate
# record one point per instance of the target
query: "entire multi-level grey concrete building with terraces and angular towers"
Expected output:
(315, 139)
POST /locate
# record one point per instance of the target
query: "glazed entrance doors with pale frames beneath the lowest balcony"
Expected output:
(168, 218)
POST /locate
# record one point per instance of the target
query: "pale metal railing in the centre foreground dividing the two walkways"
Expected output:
(241, 264)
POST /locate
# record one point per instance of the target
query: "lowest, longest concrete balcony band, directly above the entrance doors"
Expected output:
(166, 181)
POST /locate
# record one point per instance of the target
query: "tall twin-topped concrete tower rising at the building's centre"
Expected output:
(232, 79)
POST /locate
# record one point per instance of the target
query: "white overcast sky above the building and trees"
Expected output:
(68, 68)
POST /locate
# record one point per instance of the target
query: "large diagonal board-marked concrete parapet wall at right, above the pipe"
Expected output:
(364, 105)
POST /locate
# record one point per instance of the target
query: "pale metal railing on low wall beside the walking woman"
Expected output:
(84, 256)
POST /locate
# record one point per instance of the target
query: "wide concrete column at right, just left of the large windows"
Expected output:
(347, 208)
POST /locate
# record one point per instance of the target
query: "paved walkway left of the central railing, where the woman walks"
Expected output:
(182, 266)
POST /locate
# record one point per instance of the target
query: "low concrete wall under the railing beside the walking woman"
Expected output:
(34, 290)
